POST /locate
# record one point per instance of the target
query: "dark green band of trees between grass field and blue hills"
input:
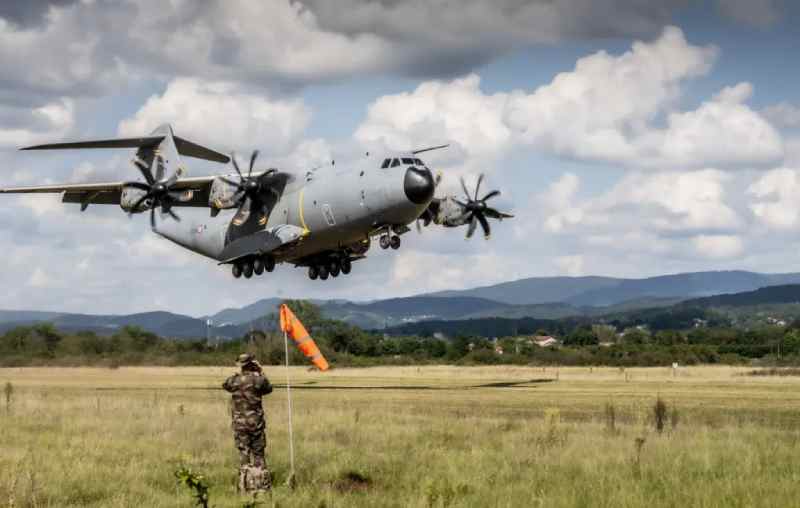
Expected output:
(687, 335)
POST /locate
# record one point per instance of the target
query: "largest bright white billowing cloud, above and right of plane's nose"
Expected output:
(588, 113)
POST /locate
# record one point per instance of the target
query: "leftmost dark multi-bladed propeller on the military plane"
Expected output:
(159, 190)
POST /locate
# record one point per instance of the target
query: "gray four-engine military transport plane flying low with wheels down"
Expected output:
(322, 220)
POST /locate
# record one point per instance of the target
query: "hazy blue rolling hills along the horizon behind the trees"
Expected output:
(535, 298)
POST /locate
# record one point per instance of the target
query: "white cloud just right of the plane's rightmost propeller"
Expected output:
(650, 212)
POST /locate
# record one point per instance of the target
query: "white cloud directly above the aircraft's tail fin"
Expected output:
(220, 114)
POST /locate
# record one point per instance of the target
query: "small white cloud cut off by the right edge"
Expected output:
(774, 198)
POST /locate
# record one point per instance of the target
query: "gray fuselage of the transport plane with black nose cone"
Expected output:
(336, 208)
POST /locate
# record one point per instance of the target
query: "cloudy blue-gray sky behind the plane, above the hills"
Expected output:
(629, 140)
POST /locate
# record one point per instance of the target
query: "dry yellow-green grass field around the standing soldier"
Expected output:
(407, 436)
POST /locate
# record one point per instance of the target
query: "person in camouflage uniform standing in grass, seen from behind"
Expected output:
(247, 388)
